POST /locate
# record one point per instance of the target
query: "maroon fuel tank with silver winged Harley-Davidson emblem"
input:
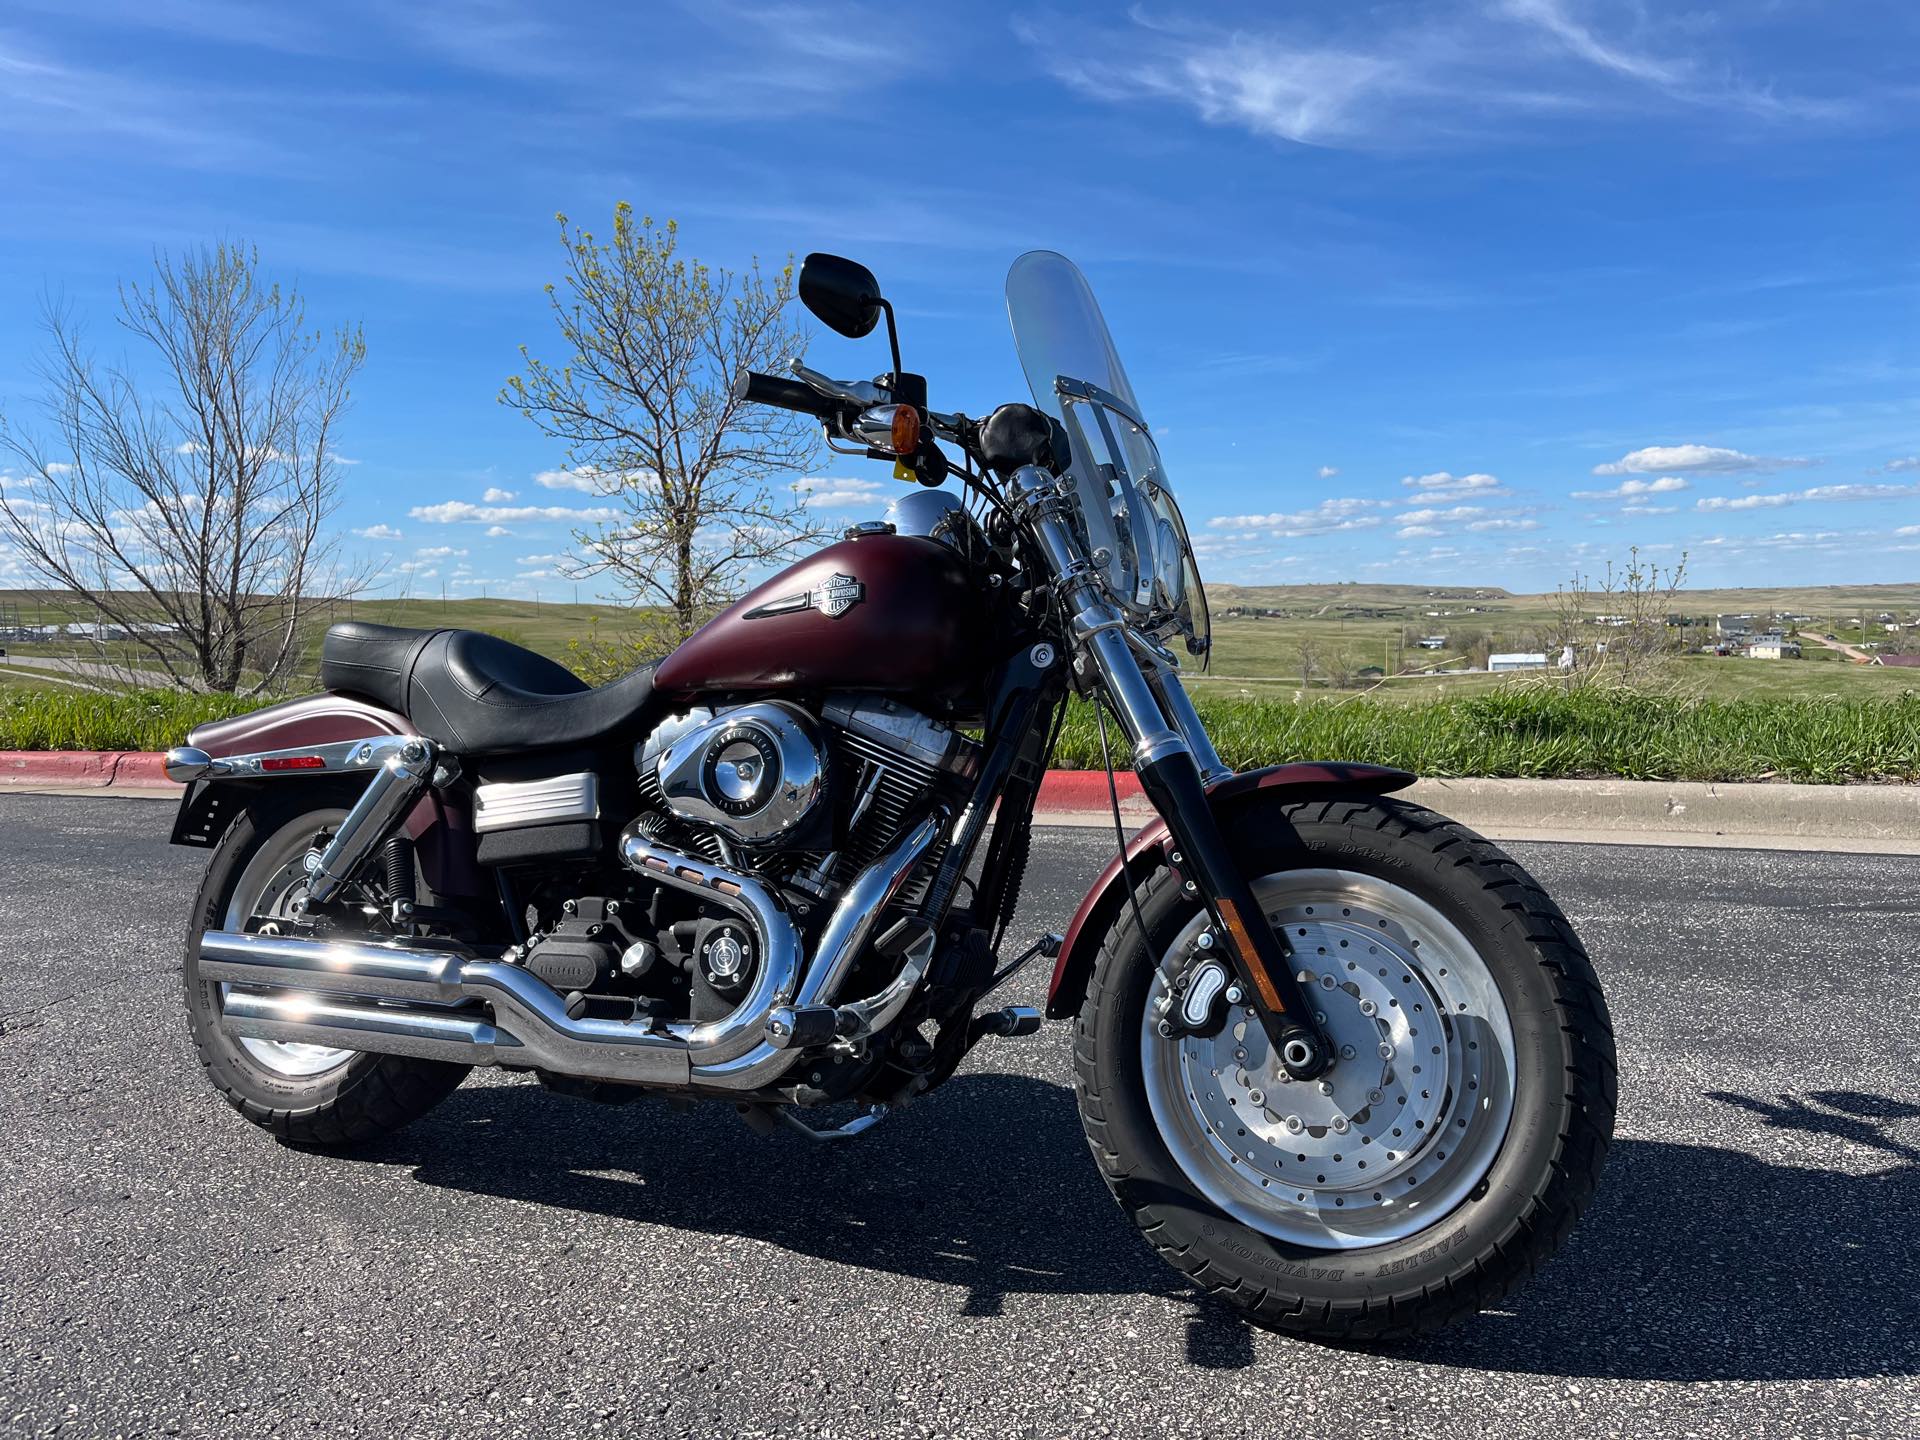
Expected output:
(886, 613)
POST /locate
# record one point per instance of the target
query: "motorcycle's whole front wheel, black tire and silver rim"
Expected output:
(1452, 1145)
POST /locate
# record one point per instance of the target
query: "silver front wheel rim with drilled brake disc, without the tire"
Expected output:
(1410, 1118)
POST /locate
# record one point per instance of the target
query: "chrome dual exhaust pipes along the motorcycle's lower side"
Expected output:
(446, 1005)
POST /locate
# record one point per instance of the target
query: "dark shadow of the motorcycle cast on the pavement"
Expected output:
(1692, 1264)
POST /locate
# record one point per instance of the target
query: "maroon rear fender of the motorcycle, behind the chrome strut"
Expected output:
(441, 825)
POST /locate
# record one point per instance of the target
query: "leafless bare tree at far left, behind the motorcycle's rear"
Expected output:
(183, 502)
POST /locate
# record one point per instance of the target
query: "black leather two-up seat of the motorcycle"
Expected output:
(477, 694)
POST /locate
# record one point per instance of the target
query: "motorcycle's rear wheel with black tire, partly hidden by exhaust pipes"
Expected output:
(302, 1095)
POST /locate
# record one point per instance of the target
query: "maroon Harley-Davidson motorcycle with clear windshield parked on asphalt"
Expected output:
(1343, 1061)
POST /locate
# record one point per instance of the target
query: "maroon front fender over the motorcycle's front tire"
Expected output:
(1151, 850)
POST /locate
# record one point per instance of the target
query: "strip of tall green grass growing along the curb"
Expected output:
(1522, 731)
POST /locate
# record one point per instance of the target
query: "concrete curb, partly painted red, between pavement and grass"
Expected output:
(1865, 819)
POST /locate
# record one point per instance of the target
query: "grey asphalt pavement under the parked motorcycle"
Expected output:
(527, 1264)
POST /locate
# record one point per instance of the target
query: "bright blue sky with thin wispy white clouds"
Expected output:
(1414, 291)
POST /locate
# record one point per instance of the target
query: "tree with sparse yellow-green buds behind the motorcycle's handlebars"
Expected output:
(646, 408)
